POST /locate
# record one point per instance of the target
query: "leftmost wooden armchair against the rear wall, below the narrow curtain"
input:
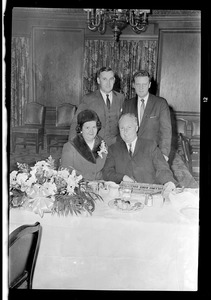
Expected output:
(32, 132)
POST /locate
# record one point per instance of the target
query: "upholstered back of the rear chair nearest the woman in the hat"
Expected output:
(64, 114)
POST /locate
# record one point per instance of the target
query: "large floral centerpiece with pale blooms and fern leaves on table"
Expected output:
(42, 188)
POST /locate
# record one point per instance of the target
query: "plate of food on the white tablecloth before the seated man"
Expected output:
(125, 207)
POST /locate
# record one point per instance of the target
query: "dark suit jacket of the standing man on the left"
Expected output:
(94, 101)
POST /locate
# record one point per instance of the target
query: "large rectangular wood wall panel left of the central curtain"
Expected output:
(57, 65)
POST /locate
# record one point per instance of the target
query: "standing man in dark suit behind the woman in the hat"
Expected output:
(106, 103)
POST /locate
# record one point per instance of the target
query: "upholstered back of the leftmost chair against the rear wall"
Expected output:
(34, 114)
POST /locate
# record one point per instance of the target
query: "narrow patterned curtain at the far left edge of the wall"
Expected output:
(19, 78)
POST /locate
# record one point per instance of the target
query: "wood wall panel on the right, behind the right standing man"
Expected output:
(179, 68)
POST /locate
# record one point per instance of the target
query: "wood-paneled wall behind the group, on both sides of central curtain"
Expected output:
(178, 61)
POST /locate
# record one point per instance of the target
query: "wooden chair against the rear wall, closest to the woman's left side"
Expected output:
(56, 136)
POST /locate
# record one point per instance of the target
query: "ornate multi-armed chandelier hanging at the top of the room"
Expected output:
(117, 19)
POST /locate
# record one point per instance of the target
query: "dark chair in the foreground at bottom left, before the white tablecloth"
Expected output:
(24, 244)
